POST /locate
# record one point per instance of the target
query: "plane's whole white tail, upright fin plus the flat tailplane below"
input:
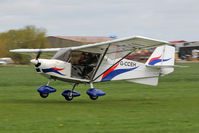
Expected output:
(160, 63)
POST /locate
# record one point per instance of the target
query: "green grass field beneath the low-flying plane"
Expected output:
(171, 107)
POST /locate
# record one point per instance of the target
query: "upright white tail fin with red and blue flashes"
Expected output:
(163, 57)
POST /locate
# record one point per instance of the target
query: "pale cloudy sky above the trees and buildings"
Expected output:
(167, 20)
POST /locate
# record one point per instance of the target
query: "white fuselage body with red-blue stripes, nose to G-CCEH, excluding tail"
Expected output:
(124, 70)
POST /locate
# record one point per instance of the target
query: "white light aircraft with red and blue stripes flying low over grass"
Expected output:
(100, 62)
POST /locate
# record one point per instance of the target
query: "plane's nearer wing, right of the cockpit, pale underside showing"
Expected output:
(121, 45)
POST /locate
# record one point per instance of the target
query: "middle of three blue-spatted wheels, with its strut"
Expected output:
(70, 94)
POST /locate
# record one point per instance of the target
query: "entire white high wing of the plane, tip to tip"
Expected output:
(115, 46)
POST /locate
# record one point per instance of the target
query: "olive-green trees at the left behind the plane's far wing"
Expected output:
(27, 37)
